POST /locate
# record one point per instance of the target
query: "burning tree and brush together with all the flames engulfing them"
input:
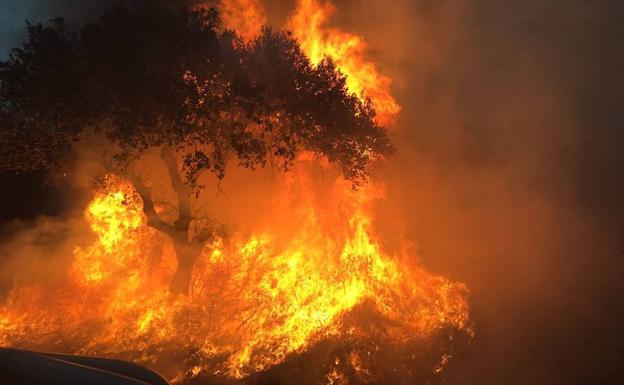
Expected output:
(161, 284)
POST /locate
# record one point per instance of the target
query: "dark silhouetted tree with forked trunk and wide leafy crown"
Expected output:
(148, 76)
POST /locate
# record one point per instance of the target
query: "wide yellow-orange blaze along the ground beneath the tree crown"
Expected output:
(251, 301)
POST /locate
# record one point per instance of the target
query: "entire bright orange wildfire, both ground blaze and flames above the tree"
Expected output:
(254, 302)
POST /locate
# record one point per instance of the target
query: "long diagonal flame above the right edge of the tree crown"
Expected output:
(308, 24)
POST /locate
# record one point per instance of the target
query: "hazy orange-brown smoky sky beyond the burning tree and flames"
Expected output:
(509, 171)
